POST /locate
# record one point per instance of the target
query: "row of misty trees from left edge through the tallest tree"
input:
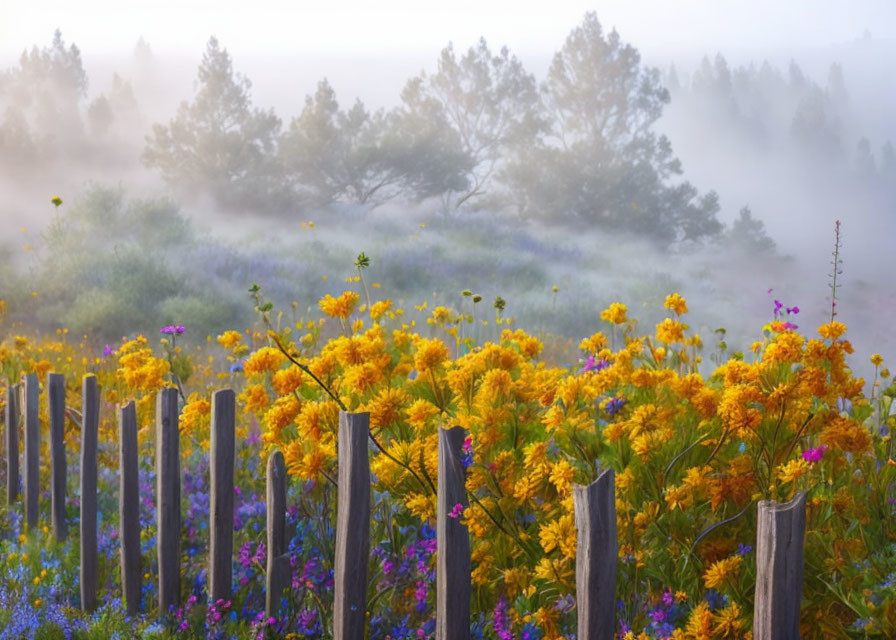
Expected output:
(478, 133)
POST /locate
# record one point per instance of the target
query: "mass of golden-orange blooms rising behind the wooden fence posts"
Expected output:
(691, 448)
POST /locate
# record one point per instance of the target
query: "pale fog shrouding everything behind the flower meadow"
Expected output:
(785, 111)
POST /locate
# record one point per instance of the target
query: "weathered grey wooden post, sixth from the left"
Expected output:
(168, 498)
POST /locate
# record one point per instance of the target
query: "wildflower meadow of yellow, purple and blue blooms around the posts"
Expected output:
(695, 434)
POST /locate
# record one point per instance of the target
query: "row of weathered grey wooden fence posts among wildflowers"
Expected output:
(779, 543)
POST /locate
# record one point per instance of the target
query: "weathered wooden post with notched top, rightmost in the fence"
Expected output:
(780, 531)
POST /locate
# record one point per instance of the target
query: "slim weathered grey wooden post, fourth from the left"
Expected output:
(90, 419)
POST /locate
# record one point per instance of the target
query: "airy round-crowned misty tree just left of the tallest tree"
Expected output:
(490, 102)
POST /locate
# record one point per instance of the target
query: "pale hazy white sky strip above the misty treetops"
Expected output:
(393, 26)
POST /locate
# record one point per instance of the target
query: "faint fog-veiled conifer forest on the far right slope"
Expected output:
(805, 149)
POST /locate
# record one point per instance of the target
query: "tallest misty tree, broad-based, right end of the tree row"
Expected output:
(602, 164)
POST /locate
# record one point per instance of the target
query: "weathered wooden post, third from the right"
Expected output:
(453, 554)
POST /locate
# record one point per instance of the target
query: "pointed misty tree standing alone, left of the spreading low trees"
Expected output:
(219, 143)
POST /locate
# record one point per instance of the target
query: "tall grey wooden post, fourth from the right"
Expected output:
(352, 527)
